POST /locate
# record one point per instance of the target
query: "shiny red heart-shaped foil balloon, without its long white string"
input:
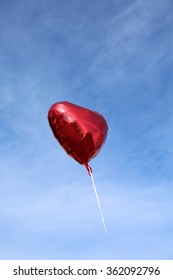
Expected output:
(80, 131)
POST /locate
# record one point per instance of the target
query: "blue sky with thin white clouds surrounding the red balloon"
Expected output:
(114, 57)
